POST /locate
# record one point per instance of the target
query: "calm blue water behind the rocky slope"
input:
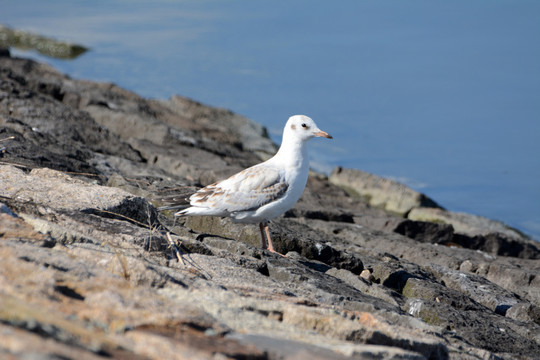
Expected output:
(441, 95)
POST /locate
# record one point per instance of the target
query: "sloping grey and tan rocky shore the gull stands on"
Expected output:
(88, 271)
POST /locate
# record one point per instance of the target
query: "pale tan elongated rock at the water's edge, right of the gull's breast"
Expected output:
(380, 192)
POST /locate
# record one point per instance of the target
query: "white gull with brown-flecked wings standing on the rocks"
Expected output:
(266, 190)
